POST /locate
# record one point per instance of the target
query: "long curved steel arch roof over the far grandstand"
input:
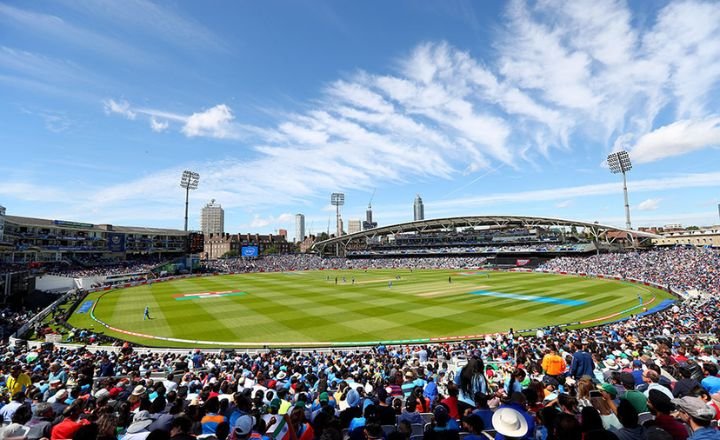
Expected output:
(599, 232)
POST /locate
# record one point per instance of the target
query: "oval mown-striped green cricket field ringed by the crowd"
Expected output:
(309, 308)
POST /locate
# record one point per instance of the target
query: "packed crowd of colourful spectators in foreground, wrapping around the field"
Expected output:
(610, 381)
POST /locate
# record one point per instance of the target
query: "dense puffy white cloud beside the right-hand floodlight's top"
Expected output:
(677, 138)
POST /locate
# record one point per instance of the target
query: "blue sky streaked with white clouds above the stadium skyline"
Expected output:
(479, 107)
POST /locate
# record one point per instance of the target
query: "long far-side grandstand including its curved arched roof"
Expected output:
(507, 240)
